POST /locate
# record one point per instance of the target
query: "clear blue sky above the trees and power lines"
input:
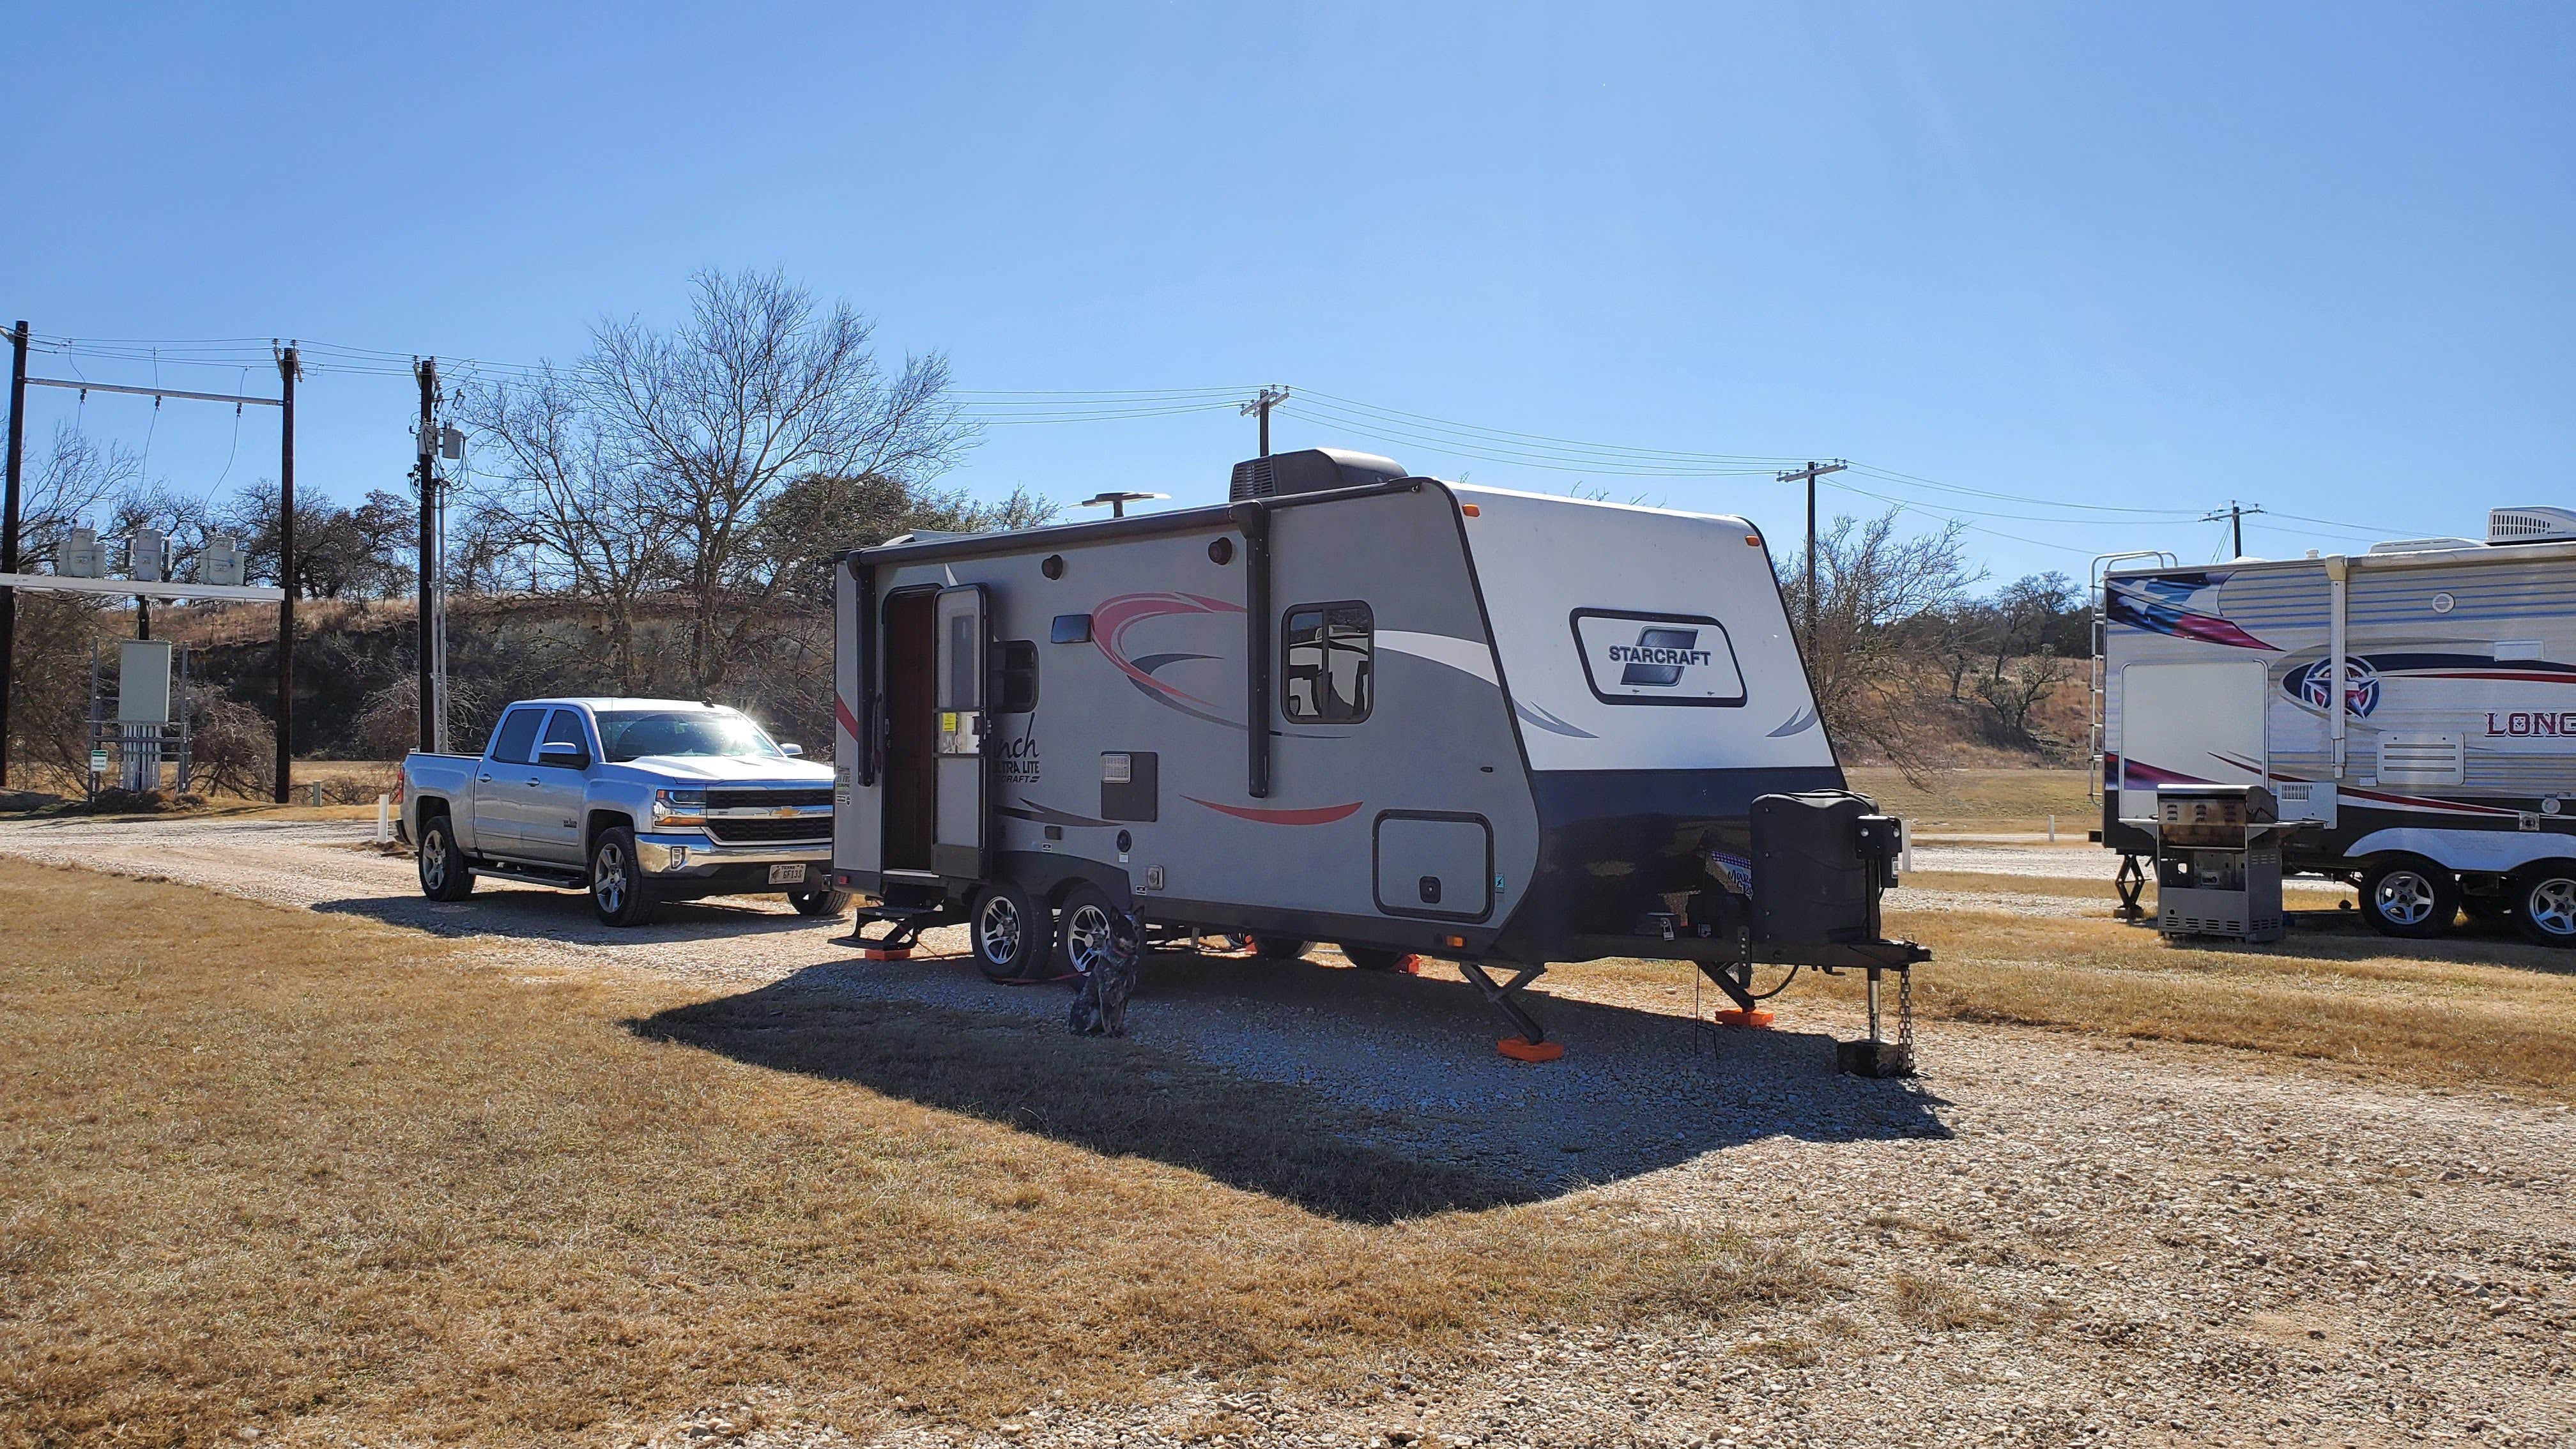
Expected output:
(2147, 259)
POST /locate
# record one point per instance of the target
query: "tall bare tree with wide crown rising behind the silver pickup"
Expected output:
(756, 391)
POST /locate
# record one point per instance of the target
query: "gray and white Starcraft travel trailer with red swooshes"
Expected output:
(1359, 708)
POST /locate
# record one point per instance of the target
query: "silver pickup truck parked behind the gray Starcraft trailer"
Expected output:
(635, 801)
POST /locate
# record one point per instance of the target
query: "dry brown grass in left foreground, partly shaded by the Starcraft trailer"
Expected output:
(285, 1169)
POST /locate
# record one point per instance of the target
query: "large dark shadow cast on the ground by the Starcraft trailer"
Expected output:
(1356, 1097)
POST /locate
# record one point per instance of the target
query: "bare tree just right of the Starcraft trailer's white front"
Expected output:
(1869, 587)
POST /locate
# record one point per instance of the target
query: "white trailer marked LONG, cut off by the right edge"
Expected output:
(2441, 777)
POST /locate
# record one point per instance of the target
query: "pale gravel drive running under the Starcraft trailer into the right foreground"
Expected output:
(2039, 1241)
